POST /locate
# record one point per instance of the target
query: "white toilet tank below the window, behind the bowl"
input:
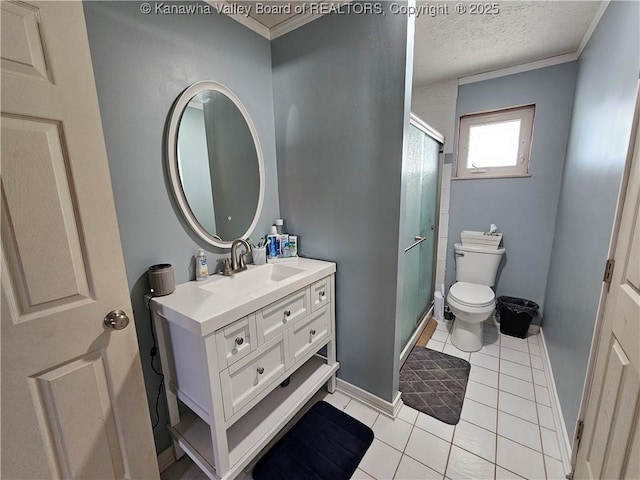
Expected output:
(477, 264)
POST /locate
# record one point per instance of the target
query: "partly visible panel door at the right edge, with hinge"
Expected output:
(610, 445)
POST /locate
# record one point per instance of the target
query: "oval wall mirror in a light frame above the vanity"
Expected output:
(215, 163)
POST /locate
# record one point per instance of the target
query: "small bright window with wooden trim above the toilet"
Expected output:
(495, 144)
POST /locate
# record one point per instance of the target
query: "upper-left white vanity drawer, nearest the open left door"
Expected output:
(236, 341)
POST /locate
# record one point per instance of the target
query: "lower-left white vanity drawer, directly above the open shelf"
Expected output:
(244, 380)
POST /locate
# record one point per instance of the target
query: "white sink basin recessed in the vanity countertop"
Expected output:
(251, 282)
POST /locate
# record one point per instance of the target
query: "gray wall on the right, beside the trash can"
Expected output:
(600, 132)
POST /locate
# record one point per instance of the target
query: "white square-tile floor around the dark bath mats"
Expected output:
(506, 429)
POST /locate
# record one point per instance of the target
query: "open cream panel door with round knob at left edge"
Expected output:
(73, 397)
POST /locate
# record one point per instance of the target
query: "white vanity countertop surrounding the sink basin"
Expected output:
(202, 312)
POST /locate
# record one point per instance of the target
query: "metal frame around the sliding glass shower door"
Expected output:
(422, 322)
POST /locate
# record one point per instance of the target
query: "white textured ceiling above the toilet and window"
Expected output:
(449, 46)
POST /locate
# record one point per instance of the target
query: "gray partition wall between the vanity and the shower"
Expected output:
(339, 94)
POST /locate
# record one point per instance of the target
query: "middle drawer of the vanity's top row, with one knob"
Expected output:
(272, 320)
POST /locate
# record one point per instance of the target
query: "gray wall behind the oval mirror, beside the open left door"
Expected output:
(141, 64)
